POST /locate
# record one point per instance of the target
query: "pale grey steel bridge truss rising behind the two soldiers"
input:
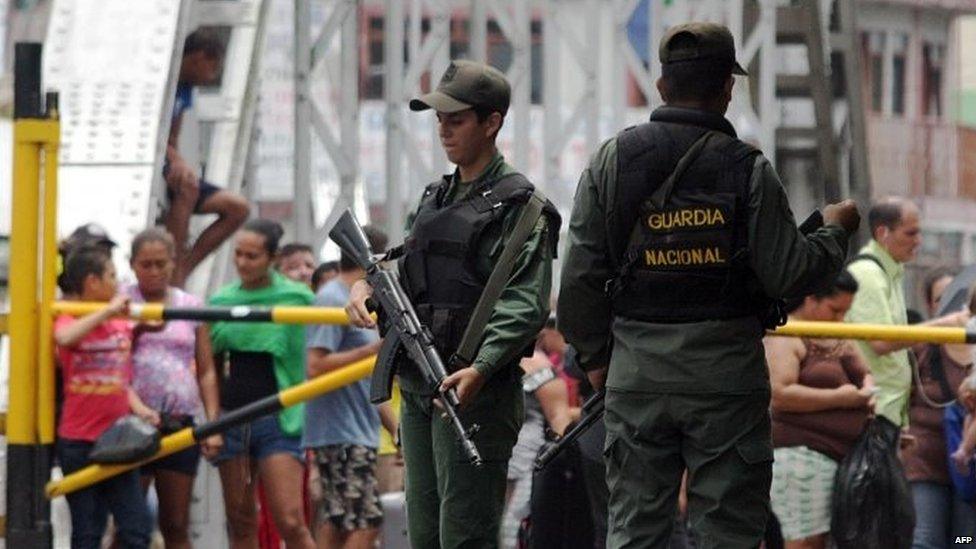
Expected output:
(597, 108)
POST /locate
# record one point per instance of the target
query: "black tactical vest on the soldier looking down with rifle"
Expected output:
(438, 268)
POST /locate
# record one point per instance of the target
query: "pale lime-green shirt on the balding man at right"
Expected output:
(880, 299)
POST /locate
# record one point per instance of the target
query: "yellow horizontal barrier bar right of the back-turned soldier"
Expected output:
(875, 332)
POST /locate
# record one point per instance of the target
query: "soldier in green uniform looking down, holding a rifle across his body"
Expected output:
(455, 239)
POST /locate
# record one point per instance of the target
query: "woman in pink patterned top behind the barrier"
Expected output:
(173, 373)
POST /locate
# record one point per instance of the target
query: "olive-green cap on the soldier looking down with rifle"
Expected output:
(465, 85)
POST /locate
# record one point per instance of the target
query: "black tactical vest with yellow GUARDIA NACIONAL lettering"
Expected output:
(686, 259)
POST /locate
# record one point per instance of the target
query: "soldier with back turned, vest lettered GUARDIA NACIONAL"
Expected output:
(681, 239)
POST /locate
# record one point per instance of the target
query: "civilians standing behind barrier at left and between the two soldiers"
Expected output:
(179, 373)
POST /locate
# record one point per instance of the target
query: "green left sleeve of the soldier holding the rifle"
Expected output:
(523, 305)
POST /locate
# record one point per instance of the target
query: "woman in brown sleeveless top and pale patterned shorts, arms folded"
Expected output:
(822, 395)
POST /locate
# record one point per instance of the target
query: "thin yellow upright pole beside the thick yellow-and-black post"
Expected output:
(49, 263)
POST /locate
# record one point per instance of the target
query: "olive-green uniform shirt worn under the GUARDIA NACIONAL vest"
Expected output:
(719, 356)
